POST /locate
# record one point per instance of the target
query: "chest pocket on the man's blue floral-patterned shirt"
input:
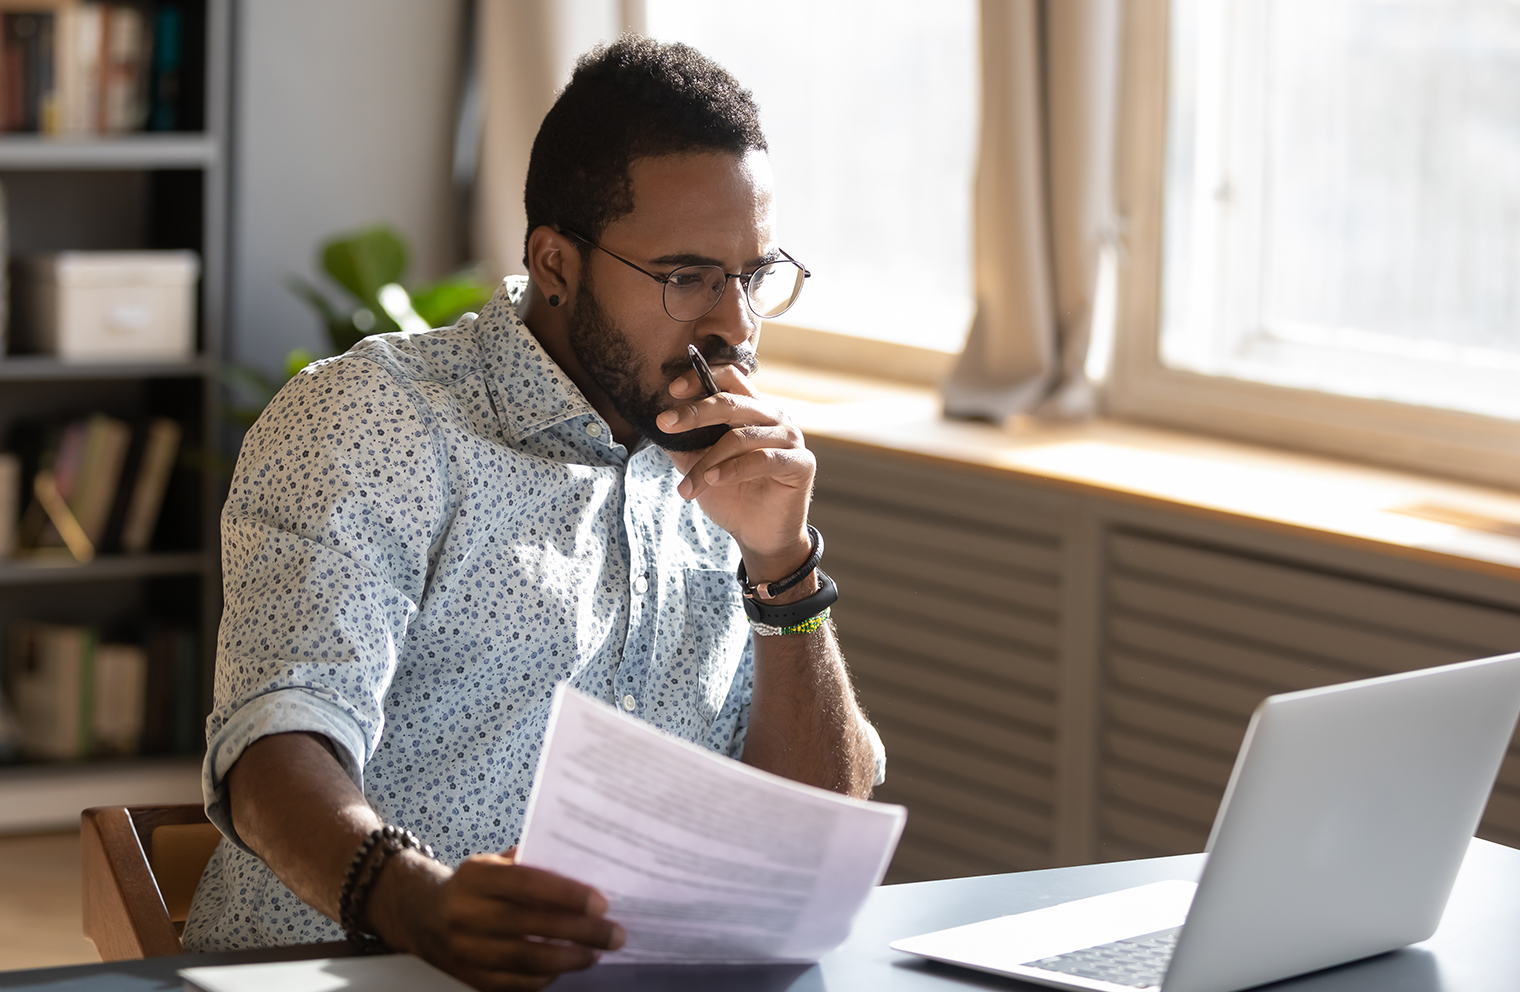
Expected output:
(714, 640)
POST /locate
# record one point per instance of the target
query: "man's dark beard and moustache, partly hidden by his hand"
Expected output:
(610, 359)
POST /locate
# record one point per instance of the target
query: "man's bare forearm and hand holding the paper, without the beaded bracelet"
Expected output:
(493, 923)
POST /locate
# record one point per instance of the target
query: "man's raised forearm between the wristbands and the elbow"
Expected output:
(803, 718)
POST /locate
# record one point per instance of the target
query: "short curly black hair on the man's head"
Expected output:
(632, 100)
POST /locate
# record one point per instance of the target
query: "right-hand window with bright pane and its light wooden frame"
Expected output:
(1326, 229)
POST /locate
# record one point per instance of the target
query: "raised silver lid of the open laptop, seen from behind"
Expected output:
(1346, 821)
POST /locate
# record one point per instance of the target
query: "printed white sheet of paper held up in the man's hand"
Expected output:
(701, 859)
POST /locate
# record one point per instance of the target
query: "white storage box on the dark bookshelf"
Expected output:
(107, 306)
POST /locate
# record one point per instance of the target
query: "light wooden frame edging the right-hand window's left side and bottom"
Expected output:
(1141, 388)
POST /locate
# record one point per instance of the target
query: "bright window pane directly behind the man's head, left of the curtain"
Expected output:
(872, 113)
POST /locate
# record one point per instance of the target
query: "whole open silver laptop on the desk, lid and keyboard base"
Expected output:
(1340, 836)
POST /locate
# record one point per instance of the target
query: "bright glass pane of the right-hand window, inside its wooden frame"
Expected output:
(1344, 198)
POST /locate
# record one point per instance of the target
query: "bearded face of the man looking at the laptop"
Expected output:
(700, 209)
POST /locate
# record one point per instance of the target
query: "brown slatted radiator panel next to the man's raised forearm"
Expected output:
(949, 618)
